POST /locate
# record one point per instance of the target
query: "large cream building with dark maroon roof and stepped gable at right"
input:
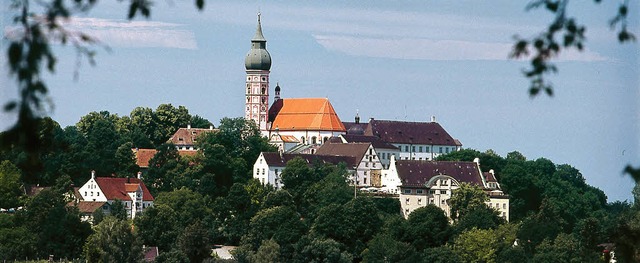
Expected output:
(423, 182)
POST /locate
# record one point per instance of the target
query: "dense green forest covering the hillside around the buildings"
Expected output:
(211, 198)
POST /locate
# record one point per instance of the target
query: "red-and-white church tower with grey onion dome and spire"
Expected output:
(257, 65)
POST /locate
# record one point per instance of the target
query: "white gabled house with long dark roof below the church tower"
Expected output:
(269, 166)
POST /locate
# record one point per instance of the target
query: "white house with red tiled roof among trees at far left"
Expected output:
(101, 192)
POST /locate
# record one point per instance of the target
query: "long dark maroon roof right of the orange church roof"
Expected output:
(429, 133)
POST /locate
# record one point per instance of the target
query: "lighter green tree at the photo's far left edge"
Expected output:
(9, 185)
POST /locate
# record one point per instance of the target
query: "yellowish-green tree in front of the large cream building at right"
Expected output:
(467, 198)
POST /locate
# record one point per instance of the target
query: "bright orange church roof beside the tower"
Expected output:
(305, 114)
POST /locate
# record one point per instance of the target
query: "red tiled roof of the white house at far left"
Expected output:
(115, 188)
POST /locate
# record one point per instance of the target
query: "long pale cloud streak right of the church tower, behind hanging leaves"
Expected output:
(428, 49)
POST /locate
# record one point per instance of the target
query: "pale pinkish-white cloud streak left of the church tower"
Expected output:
(135, 33)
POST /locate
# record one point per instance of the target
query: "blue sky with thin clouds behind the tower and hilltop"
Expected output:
(394, 60)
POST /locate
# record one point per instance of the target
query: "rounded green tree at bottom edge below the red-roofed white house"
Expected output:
(113, 241)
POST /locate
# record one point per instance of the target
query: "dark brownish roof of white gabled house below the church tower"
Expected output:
(280, 160)
